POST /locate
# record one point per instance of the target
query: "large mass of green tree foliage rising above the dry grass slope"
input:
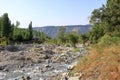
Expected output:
(106, 20)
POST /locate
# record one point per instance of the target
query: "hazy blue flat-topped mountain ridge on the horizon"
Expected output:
(53, 30)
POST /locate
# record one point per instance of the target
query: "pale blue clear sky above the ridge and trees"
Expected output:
(49, 12)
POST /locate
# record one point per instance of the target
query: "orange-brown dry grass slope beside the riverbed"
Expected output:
(103, 65)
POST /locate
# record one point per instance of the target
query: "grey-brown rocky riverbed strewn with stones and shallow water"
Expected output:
(38, 62)
